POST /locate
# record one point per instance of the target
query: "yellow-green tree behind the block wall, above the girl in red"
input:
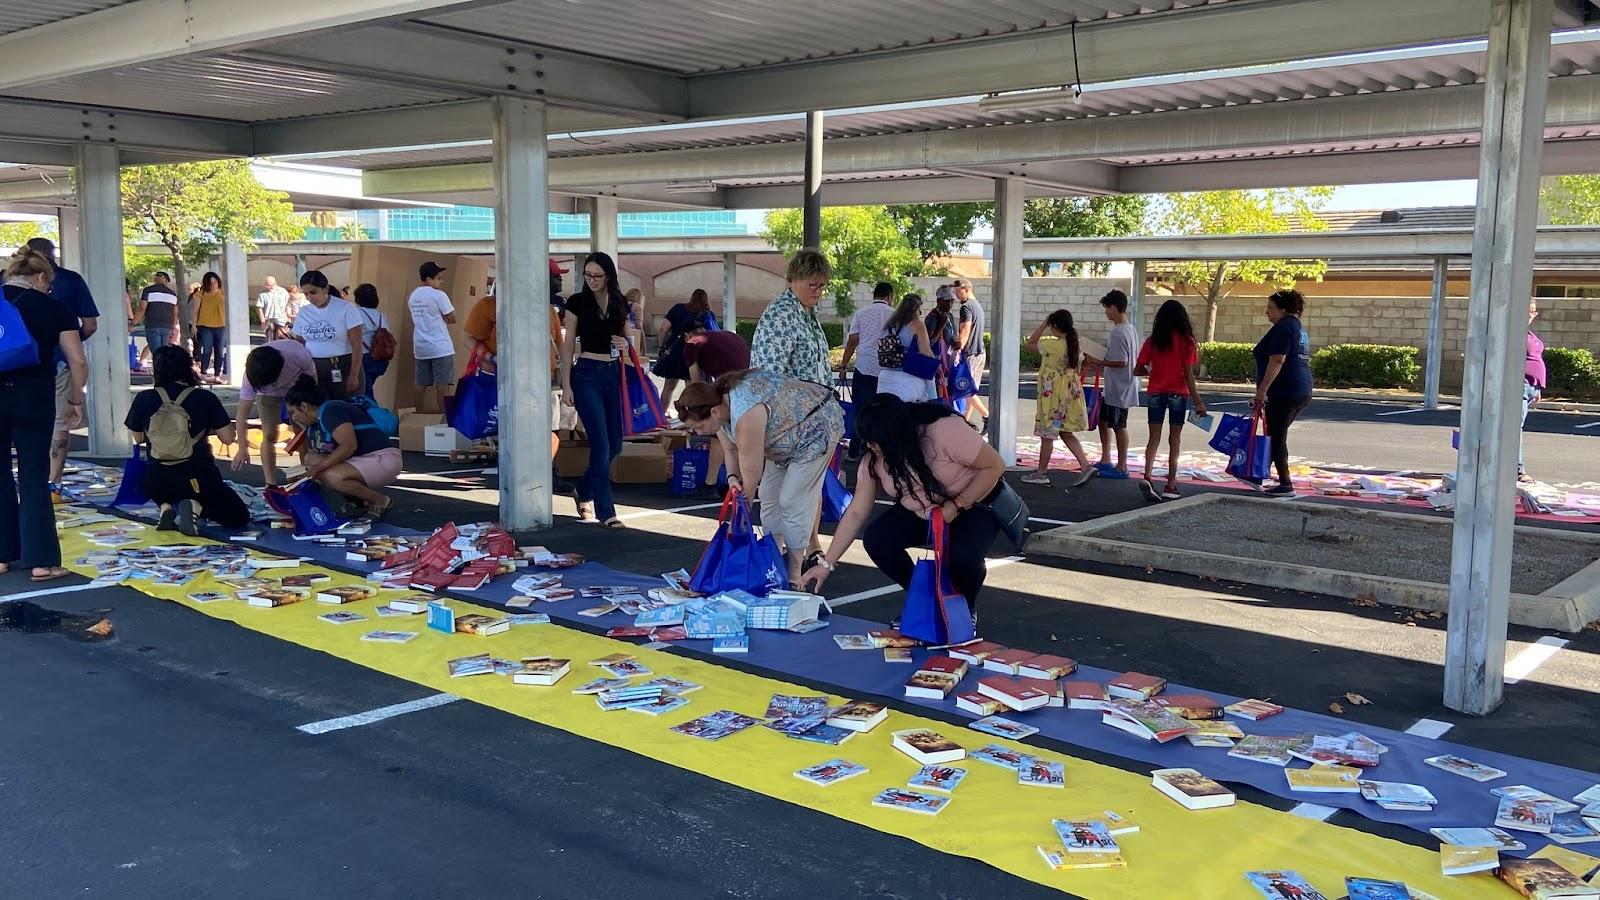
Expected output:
(1241, 212)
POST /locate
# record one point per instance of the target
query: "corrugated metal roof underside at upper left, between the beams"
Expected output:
(230, 87)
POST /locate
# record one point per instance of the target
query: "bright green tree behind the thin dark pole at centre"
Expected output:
(863, 244)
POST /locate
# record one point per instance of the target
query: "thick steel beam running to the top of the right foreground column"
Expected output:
(1129, 47)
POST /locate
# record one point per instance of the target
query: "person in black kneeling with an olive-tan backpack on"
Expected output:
(175, 420)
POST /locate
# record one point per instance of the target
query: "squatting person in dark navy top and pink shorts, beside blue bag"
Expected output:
(346, 451)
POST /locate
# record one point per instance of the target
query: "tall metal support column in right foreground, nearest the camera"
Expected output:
(1519, 50)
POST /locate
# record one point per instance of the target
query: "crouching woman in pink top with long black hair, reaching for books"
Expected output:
(948, 465)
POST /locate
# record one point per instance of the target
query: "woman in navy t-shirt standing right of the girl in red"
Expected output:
(1282, 379)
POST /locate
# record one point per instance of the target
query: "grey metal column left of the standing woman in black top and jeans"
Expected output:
(522, 299)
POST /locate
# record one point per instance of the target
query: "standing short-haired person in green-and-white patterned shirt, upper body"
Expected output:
(790, 337)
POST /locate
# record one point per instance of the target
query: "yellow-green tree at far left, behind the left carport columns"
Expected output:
(196, 207)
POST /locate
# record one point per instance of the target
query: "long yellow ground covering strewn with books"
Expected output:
(991, 818)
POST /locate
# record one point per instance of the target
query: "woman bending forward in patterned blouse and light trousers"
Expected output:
(778, 436)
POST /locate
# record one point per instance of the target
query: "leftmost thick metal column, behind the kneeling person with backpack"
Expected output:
(100, 225)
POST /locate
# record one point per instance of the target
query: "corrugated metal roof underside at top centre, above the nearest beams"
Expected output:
(716, 36)
